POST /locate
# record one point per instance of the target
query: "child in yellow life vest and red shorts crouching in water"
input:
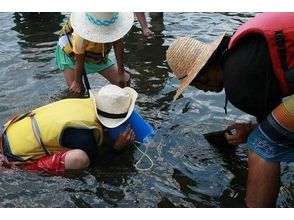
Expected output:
(64, 135)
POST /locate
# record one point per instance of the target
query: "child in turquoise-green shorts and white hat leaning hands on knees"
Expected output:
(84, 45)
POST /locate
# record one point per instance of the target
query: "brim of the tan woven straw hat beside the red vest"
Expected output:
(185, 82)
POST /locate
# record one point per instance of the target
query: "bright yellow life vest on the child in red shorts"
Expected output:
(40, 132)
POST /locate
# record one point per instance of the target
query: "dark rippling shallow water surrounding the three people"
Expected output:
(187, 172)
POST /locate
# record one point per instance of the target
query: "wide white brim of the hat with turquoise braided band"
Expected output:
(102, 34)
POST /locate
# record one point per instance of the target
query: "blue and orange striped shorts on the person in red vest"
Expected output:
(273, 139)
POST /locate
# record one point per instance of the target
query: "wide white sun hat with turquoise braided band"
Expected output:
(102, 27)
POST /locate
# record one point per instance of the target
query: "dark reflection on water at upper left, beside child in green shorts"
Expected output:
(32, 29)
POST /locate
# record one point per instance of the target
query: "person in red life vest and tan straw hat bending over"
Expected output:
(256, 68)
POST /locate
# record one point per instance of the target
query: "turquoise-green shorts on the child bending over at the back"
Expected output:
(63, 61)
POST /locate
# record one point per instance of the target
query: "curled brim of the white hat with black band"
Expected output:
(112, 123)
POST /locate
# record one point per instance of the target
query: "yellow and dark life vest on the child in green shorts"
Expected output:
(94, 52)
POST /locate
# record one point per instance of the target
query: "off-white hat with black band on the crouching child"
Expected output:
(114, 105)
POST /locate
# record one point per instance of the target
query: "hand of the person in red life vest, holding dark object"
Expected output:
(242, 131)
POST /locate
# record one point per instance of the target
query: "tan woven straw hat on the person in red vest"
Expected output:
(187, 56)
